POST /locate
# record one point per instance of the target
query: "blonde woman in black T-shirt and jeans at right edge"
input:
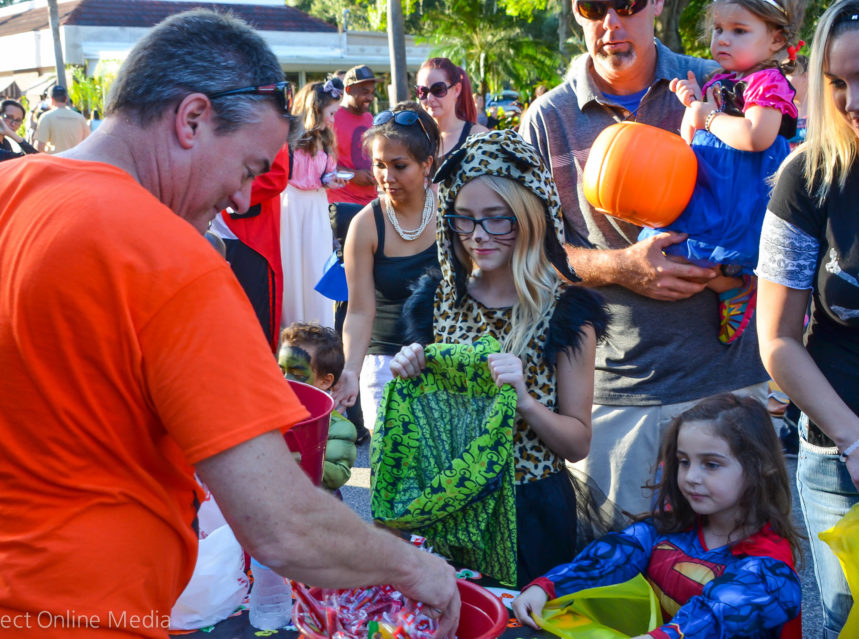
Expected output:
(810, 245)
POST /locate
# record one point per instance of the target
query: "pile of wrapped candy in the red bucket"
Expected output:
(376, 612)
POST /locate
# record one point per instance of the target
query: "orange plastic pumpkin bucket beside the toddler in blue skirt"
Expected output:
(640, 173)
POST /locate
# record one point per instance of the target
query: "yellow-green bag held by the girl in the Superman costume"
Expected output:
(618, 611)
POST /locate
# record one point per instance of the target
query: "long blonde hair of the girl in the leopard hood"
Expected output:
(534, 277)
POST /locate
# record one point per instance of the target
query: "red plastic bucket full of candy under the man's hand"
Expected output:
(482, 615)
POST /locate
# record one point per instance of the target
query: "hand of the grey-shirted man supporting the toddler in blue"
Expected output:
(646, 270)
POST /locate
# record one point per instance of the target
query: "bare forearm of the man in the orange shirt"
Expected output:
(296, 529)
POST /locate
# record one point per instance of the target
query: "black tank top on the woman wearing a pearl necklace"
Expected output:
(393, 277)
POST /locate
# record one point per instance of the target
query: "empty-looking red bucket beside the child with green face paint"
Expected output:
(310, 436)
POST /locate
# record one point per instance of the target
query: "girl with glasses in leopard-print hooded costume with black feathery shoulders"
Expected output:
(504, 274)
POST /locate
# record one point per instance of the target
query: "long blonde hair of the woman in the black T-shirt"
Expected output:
(830, 143)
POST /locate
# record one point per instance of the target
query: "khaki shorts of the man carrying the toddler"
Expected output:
(625, 445)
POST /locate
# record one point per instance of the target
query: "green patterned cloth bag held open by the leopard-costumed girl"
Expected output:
(442, 459)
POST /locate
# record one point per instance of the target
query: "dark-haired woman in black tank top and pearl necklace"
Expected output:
(389, 245)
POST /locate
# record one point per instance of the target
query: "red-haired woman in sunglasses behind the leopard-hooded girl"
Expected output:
(444, 91)
